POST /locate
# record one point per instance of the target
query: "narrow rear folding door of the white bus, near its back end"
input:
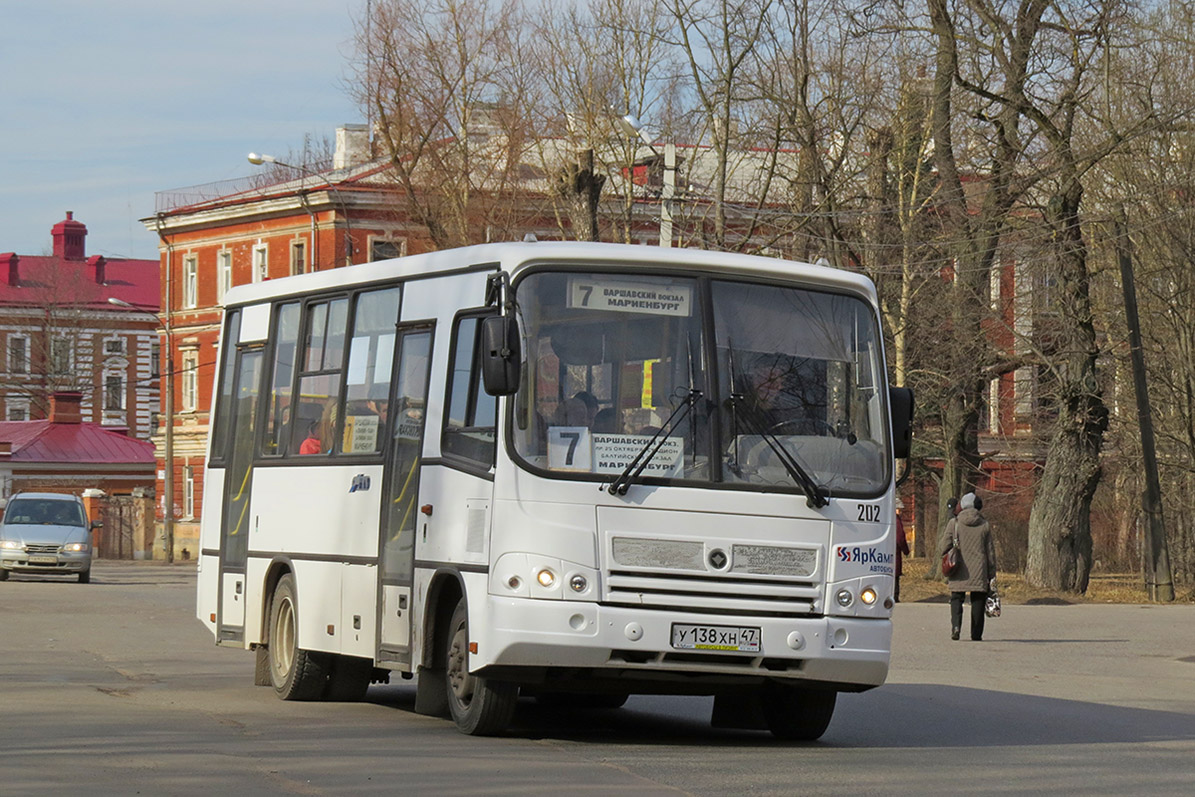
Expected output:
(238, 482)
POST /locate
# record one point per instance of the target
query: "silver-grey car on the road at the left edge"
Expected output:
(46, 534)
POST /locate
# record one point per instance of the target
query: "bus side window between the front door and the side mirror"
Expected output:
(473, 415)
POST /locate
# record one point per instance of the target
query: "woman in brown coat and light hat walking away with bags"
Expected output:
(976, 573)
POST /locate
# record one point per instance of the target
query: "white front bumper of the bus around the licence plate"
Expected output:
(850, 653)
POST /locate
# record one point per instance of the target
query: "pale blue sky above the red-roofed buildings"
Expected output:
(106, 103)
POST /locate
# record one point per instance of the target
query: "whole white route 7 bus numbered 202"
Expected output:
(557, 470)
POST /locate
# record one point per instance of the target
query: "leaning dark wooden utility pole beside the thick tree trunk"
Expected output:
(1160, 584)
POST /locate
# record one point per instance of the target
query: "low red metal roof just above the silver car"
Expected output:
(45, 442)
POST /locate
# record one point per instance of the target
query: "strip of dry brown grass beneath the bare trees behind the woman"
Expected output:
(1105, 588)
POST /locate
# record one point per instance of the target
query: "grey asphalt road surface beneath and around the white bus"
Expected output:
(115, 689)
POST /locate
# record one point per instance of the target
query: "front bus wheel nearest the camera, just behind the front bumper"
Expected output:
(479, 706)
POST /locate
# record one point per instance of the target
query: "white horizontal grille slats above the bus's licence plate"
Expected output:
(712, 594)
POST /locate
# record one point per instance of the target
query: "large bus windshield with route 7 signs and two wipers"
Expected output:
(756, 385)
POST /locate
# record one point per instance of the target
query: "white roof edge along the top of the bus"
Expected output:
(513, 258)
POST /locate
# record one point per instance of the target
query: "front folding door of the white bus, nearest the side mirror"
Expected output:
(401, 492)
